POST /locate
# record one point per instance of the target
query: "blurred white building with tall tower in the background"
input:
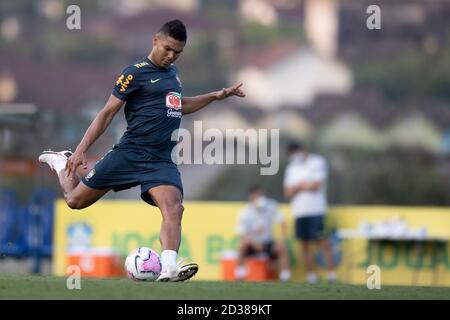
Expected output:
(306, 72)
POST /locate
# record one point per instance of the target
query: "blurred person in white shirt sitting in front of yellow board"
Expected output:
(255, 229)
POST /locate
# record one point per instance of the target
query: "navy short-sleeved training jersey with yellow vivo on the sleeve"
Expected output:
(153, 108)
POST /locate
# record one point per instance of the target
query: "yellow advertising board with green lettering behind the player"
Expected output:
(209, 231)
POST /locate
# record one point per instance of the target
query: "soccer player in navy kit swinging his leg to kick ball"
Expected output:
(151, 92)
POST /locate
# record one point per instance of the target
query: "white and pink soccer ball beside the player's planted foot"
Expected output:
(143, 264)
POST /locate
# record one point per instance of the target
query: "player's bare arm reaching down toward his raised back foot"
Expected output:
(95, 130)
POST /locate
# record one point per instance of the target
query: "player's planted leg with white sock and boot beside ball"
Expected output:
(169, 201)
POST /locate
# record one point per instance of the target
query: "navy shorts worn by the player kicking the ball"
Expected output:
(122, 169)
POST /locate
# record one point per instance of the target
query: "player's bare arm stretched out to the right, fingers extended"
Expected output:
(193, 104)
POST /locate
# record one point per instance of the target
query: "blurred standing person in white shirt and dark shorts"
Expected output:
(305, 184)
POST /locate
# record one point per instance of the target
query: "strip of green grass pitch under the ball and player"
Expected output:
(49, 287)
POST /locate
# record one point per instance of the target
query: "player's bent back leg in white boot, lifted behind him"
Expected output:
(76, 194)
